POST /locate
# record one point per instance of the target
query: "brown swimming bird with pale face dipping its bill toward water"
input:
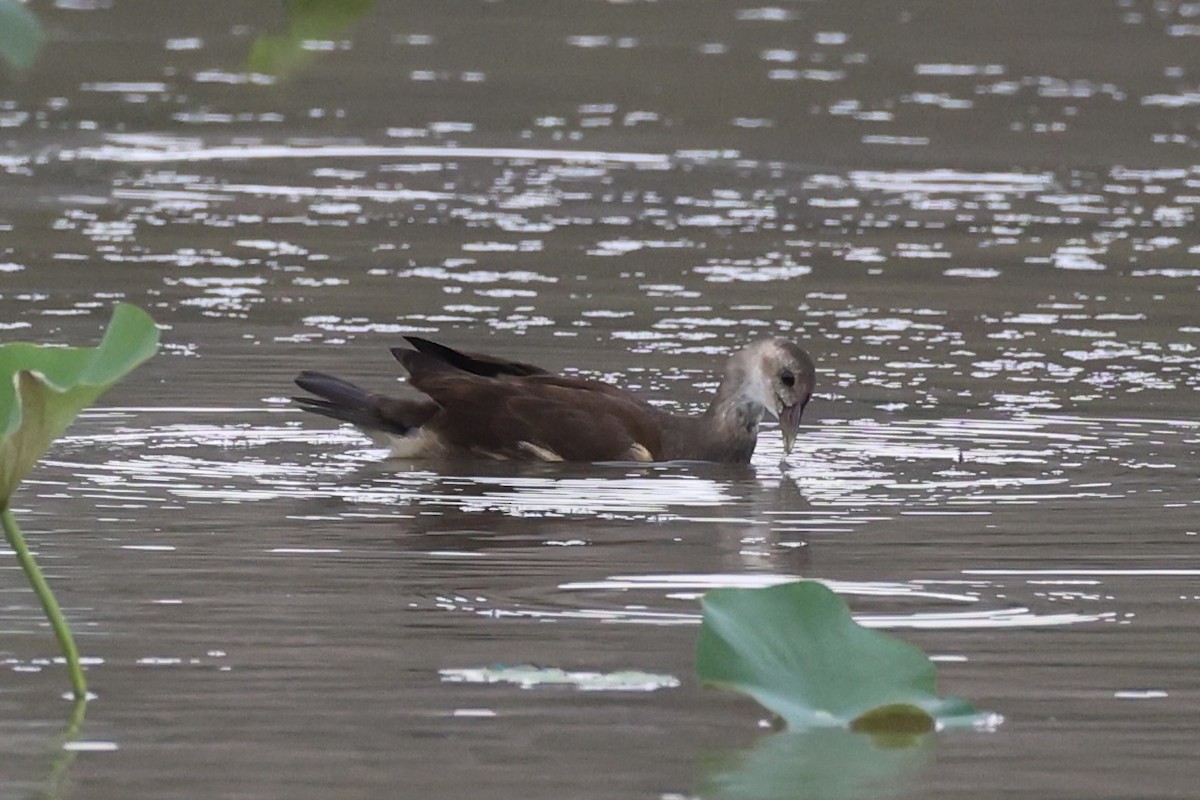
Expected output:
(470, 405)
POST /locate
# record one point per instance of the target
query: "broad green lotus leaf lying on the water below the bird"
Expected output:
(796, 649)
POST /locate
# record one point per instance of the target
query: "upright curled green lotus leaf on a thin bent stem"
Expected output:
(43, 389)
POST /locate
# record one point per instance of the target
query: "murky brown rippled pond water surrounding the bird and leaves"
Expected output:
(981, 218)
